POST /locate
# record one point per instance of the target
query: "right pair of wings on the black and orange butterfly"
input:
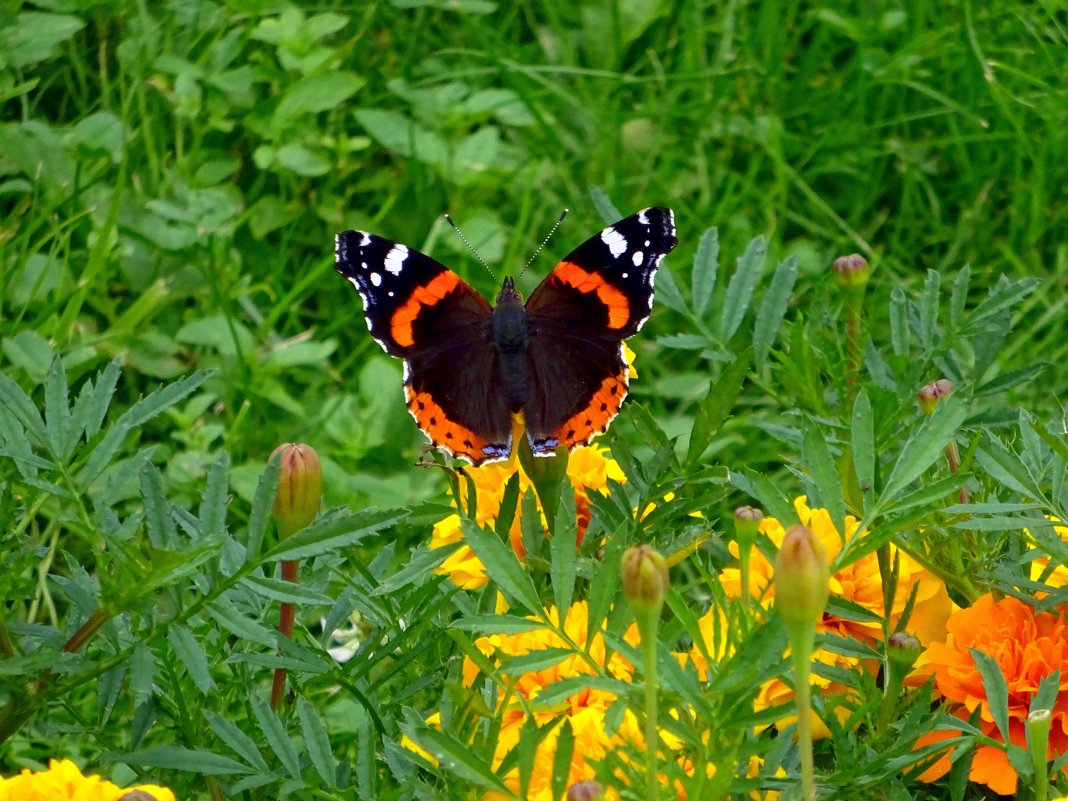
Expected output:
(599, 296)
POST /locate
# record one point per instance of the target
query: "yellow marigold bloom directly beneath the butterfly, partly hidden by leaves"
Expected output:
(589, 468)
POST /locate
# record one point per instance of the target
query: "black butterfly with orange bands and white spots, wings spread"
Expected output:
(470, 367)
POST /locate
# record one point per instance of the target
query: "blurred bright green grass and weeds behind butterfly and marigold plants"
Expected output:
(172, 175)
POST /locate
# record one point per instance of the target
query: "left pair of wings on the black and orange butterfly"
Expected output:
(422, 312)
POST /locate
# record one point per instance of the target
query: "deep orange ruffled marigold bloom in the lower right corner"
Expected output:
(1028, 648)
